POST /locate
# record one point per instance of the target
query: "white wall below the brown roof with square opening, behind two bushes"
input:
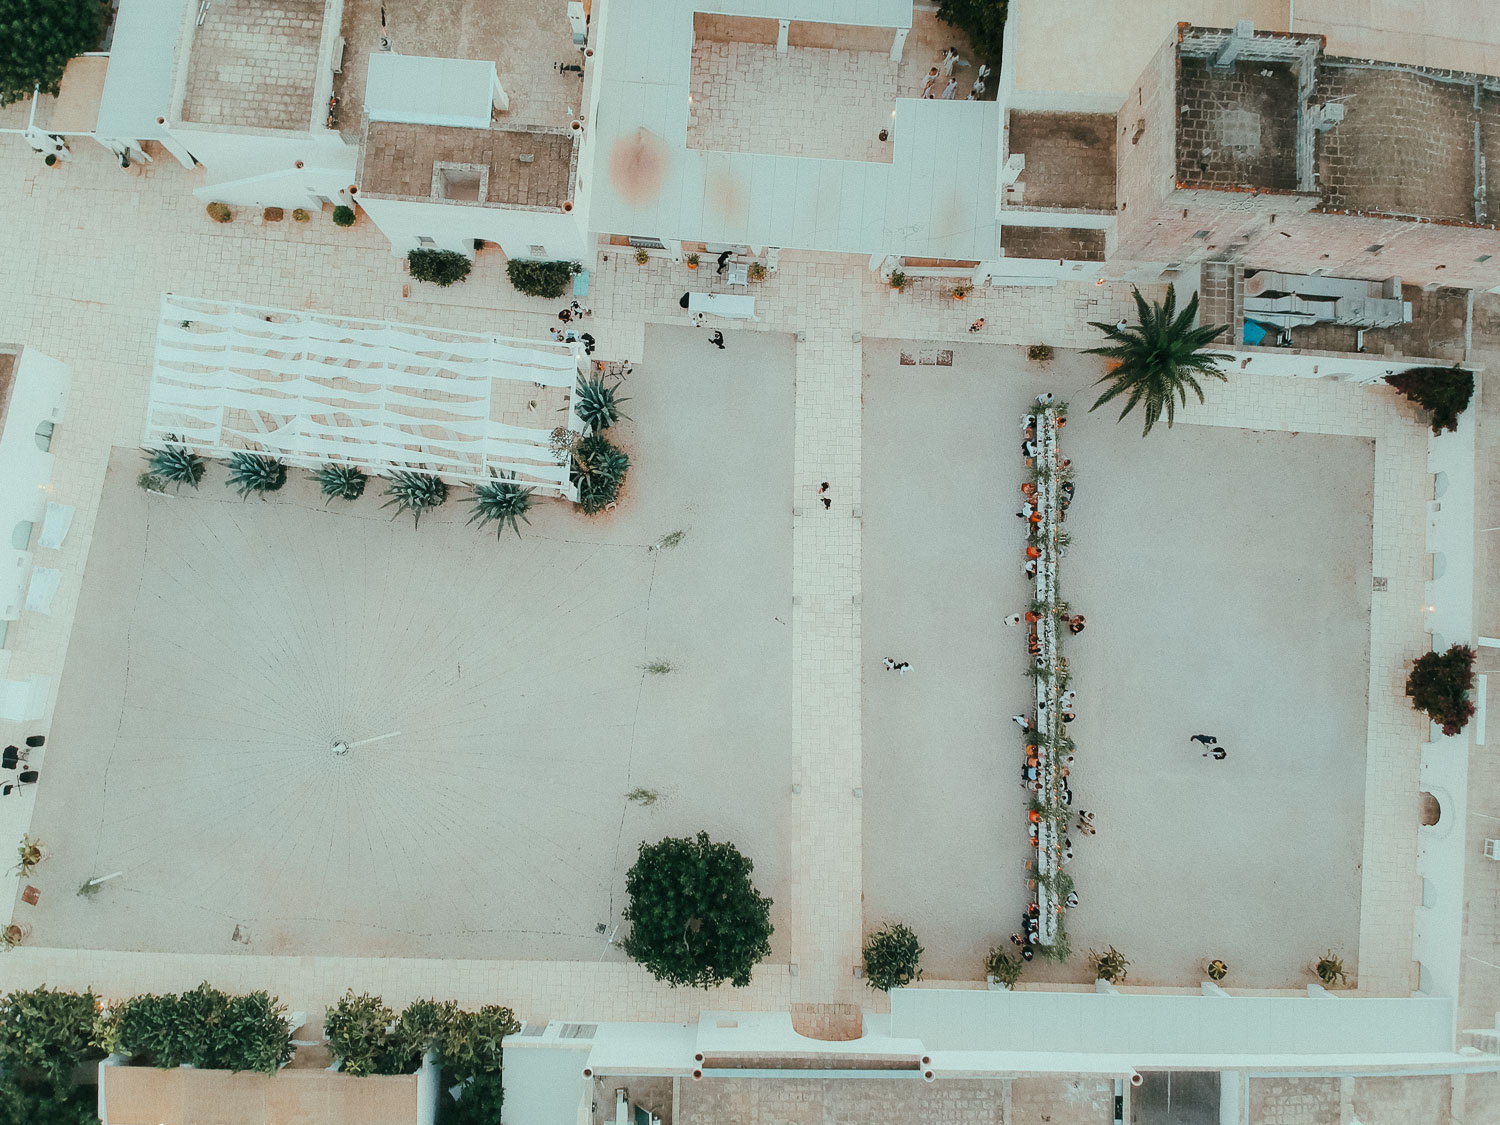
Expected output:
(455, 227)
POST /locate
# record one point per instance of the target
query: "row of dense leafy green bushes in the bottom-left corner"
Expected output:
(49, 1036)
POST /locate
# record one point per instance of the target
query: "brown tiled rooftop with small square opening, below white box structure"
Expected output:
(472, 166)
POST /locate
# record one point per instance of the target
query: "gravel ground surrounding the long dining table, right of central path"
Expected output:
(1226, 578)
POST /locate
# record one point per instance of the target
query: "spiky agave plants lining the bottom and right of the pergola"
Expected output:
(598, 469)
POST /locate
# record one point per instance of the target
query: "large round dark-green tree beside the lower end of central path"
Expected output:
(695, 917)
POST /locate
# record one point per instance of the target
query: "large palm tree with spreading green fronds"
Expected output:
(1160, 359)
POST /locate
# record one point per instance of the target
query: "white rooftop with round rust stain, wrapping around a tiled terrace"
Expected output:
(748, 199)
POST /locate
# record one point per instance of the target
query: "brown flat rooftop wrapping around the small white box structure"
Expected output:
(529, 41)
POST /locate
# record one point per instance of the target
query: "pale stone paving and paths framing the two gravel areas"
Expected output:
(94, 250)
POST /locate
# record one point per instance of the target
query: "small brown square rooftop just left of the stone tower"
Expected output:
(1070, 160)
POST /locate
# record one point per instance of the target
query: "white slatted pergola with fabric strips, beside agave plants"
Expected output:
(314, 389)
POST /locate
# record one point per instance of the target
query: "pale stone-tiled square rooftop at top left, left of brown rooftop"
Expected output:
(254, 64)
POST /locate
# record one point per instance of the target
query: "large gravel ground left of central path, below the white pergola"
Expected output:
(223, 646)
